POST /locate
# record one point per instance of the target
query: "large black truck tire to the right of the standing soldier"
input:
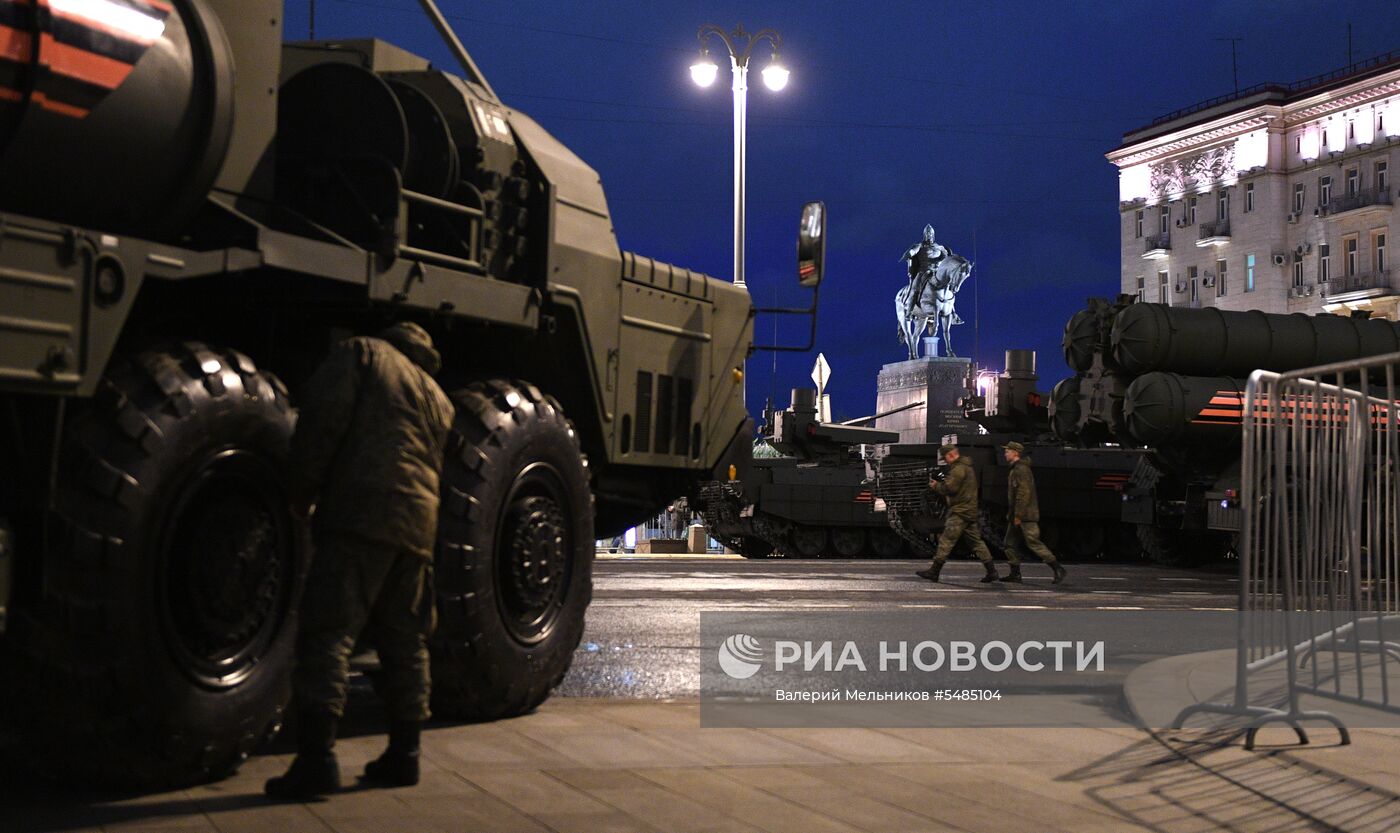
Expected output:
(514, 556)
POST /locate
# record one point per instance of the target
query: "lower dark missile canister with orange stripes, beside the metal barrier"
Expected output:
(1163, 408)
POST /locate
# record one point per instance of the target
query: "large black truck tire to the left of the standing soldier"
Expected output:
(160, 653)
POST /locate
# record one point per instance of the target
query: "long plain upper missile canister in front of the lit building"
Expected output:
(1214, 342)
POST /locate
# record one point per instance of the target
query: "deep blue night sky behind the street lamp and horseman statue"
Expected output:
(988, 120)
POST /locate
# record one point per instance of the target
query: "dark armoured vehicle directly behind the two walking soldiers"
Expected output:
(1080, 492)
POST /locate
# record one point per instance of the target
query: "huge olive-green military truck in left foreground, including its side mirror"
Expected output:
(191, 215)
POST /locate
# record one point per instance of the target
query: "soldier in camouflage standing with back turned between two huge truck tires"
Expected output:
(367, 454)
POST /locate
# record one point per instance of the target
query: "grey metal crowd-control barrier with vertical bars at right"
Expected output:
(1319, 559)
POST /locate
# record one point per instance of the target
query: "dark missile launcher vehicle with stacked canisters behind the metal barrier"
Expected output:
(1171, 380)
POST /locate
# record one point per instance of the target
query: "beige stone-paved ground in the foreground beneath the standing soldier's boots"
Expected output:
(605, 765)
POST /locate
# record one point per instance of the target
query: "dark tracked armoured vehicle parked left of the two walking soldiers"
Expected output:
(806, 498)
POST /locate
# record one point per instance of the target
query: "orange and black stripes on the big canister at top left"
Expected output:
(85, 50)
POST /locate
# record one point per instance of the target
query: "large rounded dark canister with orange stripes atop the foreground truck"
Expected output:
(145, 160)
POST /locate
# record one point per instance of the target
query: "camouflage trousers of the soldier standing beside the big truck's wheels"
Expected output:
(356, 587)
